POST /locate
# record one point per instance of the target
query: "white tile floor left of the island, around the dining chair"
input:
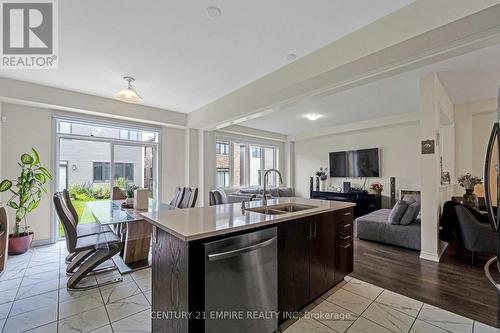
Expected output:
(33, 298)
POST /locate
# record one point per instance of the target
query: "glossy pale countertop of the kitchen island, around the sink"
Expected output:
(203, 222)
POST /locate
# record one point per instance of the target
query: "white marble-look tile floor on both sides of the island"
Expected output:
(33, 298)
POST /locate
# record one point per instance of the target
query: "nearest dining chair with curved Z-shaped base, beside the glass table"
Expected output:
(91, 251)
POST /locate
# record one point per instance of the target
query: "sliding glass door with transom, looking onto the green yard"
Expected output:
(93, 159)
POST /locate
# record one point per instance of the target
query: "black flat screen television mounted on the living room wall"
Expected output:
(355, 163)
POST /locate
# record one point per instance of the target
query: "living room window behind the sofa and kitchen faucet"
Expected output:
(241, 164)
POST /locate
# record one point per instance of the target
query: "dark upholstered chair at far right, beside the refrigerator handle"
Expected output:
(477, 237)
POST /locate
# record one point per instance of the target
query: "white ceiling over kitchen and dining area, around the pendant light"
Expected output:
(181, 58)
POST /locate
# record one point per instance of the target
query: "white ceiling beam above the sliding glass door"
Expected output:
(25, 93)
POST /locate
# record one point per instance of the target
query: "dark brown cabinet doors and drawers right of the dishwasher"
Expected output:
(314, 254)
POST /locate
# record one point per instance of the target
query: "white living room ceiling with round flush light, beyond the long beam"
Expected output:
(467, 78)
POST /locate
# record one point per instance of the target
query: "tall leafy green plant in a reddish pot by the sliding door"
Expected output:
(26, 192)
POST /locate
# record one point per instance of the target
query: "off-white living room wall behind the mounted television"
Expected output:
(399, 156)
